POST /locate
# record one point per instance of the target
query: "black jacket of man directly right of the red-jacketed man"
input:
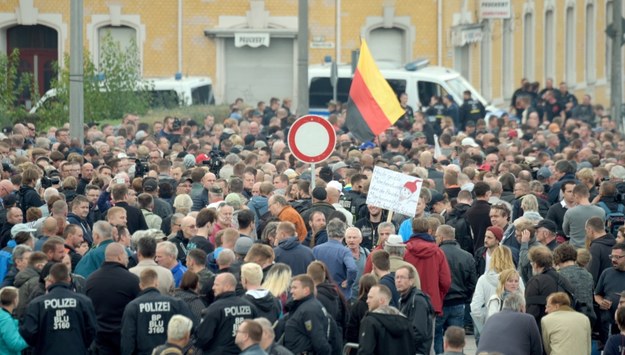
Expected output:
(463, 274)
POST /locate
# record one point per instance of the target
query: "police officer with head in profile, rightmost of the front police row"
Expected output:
(306, 327)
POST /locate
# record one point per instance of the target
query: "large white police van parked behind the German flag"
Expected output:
(419, 81)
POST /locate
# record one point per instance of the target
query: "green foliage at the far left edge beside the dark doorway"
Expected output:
(14, 86)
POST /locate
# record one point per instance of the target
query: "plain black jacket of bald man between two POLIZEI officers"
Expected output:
(111, 288)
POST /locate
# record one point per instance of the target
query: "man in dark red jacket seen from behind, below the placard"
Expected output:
(430, 261)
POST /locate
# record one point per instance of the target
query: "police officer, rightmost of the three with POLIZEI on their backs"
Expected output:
(216, 332)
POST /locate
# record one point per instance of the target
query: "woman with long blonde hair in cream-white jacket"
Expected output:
(487, 285)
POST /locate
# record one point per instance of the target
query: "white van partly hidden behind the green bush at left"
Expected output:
(164, 92)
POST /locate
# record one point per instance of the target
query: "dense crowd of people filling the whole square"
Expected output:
(179, 236)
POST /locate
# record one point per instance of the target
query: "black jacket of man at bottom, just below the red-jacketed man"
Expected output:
(417, 307)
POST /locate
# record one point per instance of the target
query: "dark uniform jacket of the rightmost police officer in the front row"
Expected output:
(306, 328)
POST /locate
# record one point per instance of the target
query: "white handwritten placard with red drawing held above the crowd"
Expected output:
(394, 191)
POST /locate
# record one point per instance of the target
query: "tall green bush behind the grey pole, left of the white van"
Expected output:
(112, 87)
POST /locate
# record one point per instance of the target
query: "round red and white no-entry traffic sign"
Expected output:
(312, 139)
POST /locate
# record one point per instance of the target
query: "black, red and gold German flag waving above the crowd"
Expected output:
(372, 106)
